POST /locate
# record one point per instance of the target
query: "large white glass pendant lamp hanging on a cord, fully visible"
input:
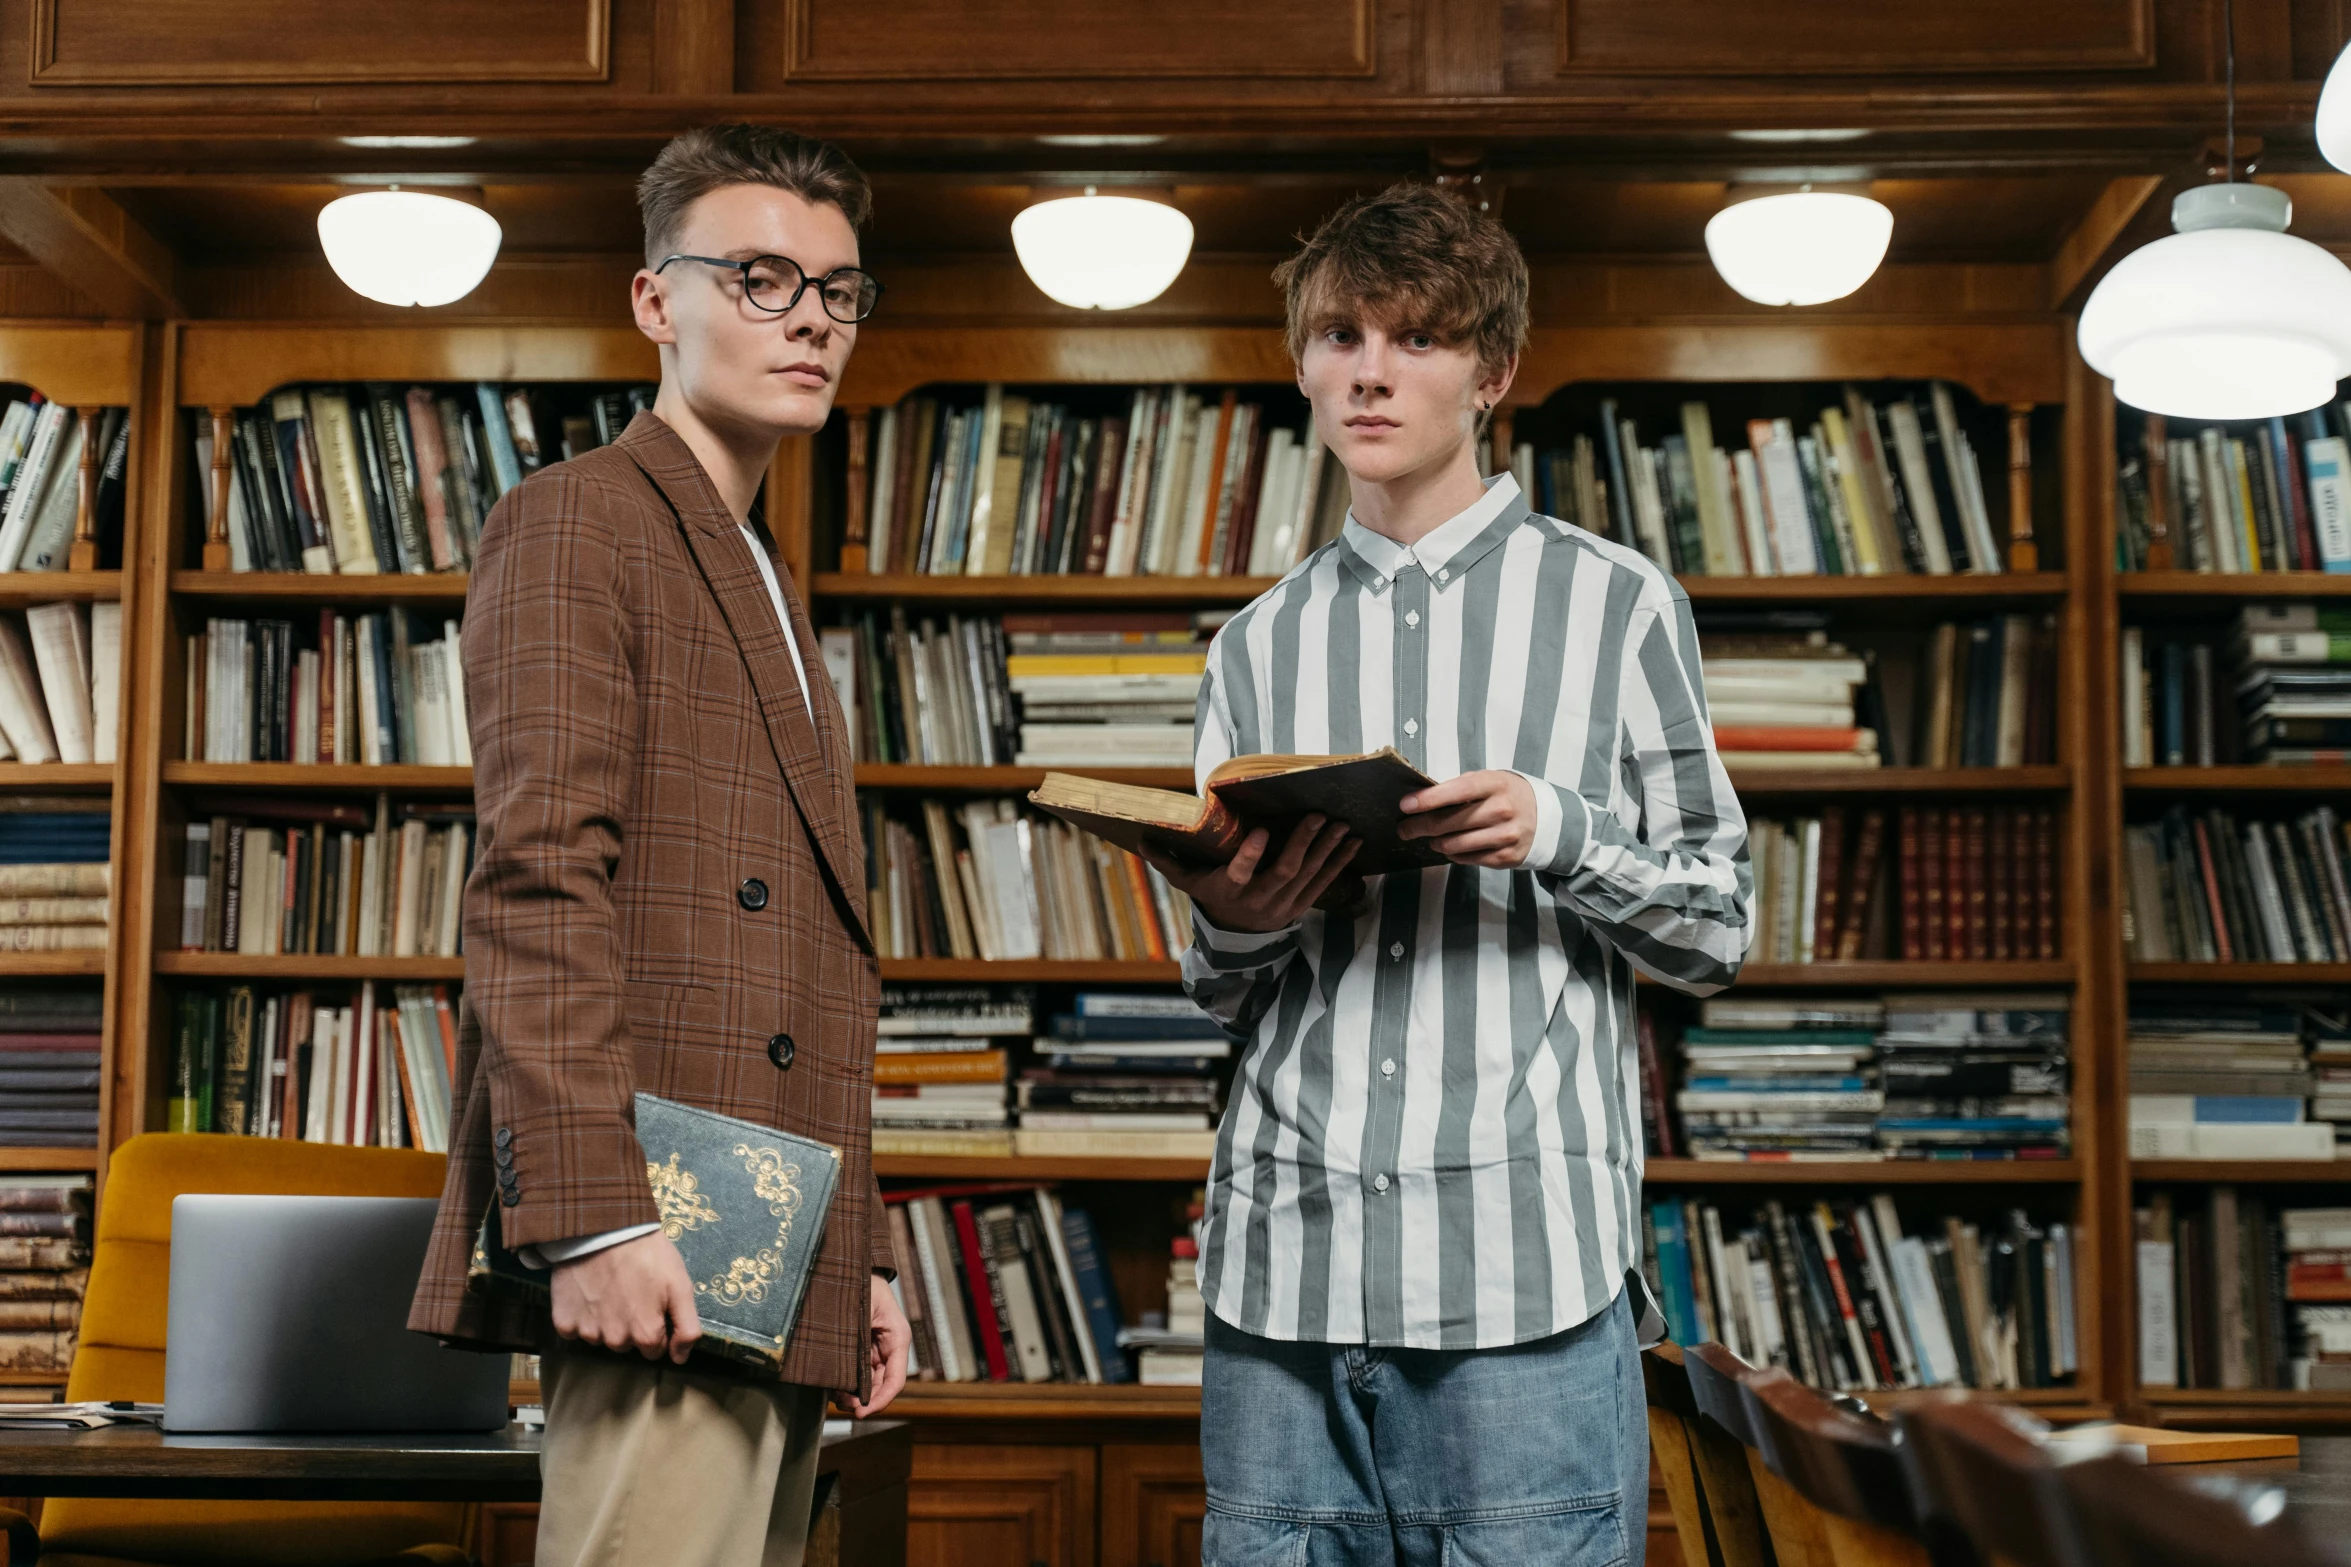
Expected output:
(2228, 318)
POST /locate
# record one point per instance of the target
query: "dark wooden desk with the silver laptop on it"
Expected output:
(873, 1462)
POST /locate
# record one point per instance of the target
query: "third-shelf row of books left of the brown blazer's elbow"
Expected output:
(326, 877)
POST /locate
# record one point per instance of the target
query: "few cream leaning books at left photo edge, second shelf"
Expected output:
(62, 682)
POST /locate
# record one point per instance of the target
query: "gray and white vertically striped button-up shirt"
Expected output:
(1435, 1131)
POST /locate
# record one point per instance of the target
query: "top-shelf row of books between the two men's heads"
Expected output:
(1139, 483)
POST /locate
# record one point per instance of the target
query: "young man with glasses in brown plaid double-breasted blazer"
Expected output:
(669, 887)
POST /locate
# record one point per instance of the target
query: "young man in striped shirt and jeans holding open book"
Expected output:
(1424, 1216)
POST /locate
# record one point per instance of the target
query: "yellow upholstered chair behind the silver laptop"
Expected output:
(123, 1345)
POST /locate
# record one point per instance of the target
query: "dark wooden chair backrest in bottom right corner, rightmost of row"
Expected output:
(2155, 1519)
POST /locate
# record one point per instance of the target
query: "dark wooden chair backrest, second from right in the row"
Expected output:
(1983, 1467)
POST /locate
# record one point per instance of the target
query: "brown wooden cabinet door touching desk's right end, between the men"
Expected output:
(1000, 1507)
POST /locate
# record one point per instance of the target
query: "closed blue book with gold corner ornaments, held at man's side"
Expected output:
(746, 1209)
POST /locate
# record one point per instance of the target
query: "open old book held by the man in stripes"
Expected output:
(1252, 793)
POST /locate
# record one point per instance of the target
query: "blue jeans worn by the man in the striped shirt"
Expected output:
(1339, 1455)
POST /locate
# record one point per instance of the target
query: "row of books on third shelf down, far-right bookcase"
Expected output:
(2216, 887)
